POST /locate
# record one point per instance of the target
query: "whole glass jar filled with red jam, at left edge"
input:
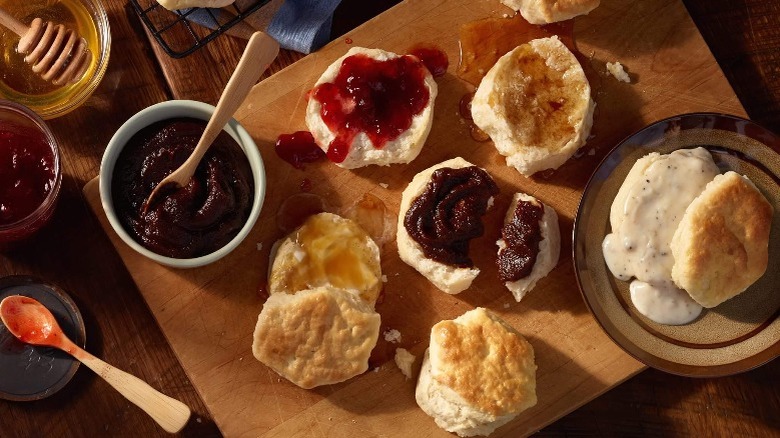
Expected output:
(30, 173)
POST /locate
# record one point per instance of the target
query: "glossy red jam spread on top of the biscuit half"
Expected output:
(379, 98)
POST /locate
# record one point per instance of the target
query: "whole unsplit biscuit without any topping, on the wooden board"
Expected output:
(477, 374)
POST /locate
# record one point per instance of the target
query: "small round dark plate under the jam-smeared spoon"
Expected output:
(32, 373)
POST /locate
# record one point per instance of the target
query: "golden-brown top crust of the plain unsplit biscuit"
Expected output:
(485, 361)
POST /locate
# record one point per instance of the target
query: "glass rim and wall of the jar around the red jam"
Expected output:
(15, 114)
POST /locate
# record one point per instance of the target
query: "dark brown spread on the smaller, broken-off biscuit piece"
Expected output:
(522, 236)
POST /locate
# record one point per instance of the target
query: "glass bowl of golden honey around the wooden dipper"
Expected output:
(67, 98)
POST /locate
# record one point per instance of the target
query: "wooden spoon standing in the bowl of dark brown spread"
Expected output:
(258, 55)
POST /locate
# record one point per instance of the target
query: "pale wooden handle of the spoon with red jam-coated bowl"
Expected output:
(168, 412)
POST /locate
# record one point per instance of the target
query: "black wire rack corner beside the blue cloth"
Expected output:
(178, 34)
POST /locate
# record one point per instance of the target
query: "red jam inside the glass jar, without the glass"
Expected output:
(27, 172)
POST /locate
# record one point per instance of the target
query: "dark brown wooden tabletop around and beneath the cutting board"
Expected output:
(73, 252)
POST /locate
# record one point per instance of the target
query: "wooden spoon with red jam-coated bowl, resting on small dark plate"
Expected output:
(32, 323)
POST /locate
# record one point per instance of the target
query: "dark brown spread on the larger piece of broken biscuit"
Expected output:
(448, 214)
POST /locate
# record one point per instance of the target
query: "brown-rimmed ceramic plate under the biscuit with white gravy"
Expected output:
(736, 336)
